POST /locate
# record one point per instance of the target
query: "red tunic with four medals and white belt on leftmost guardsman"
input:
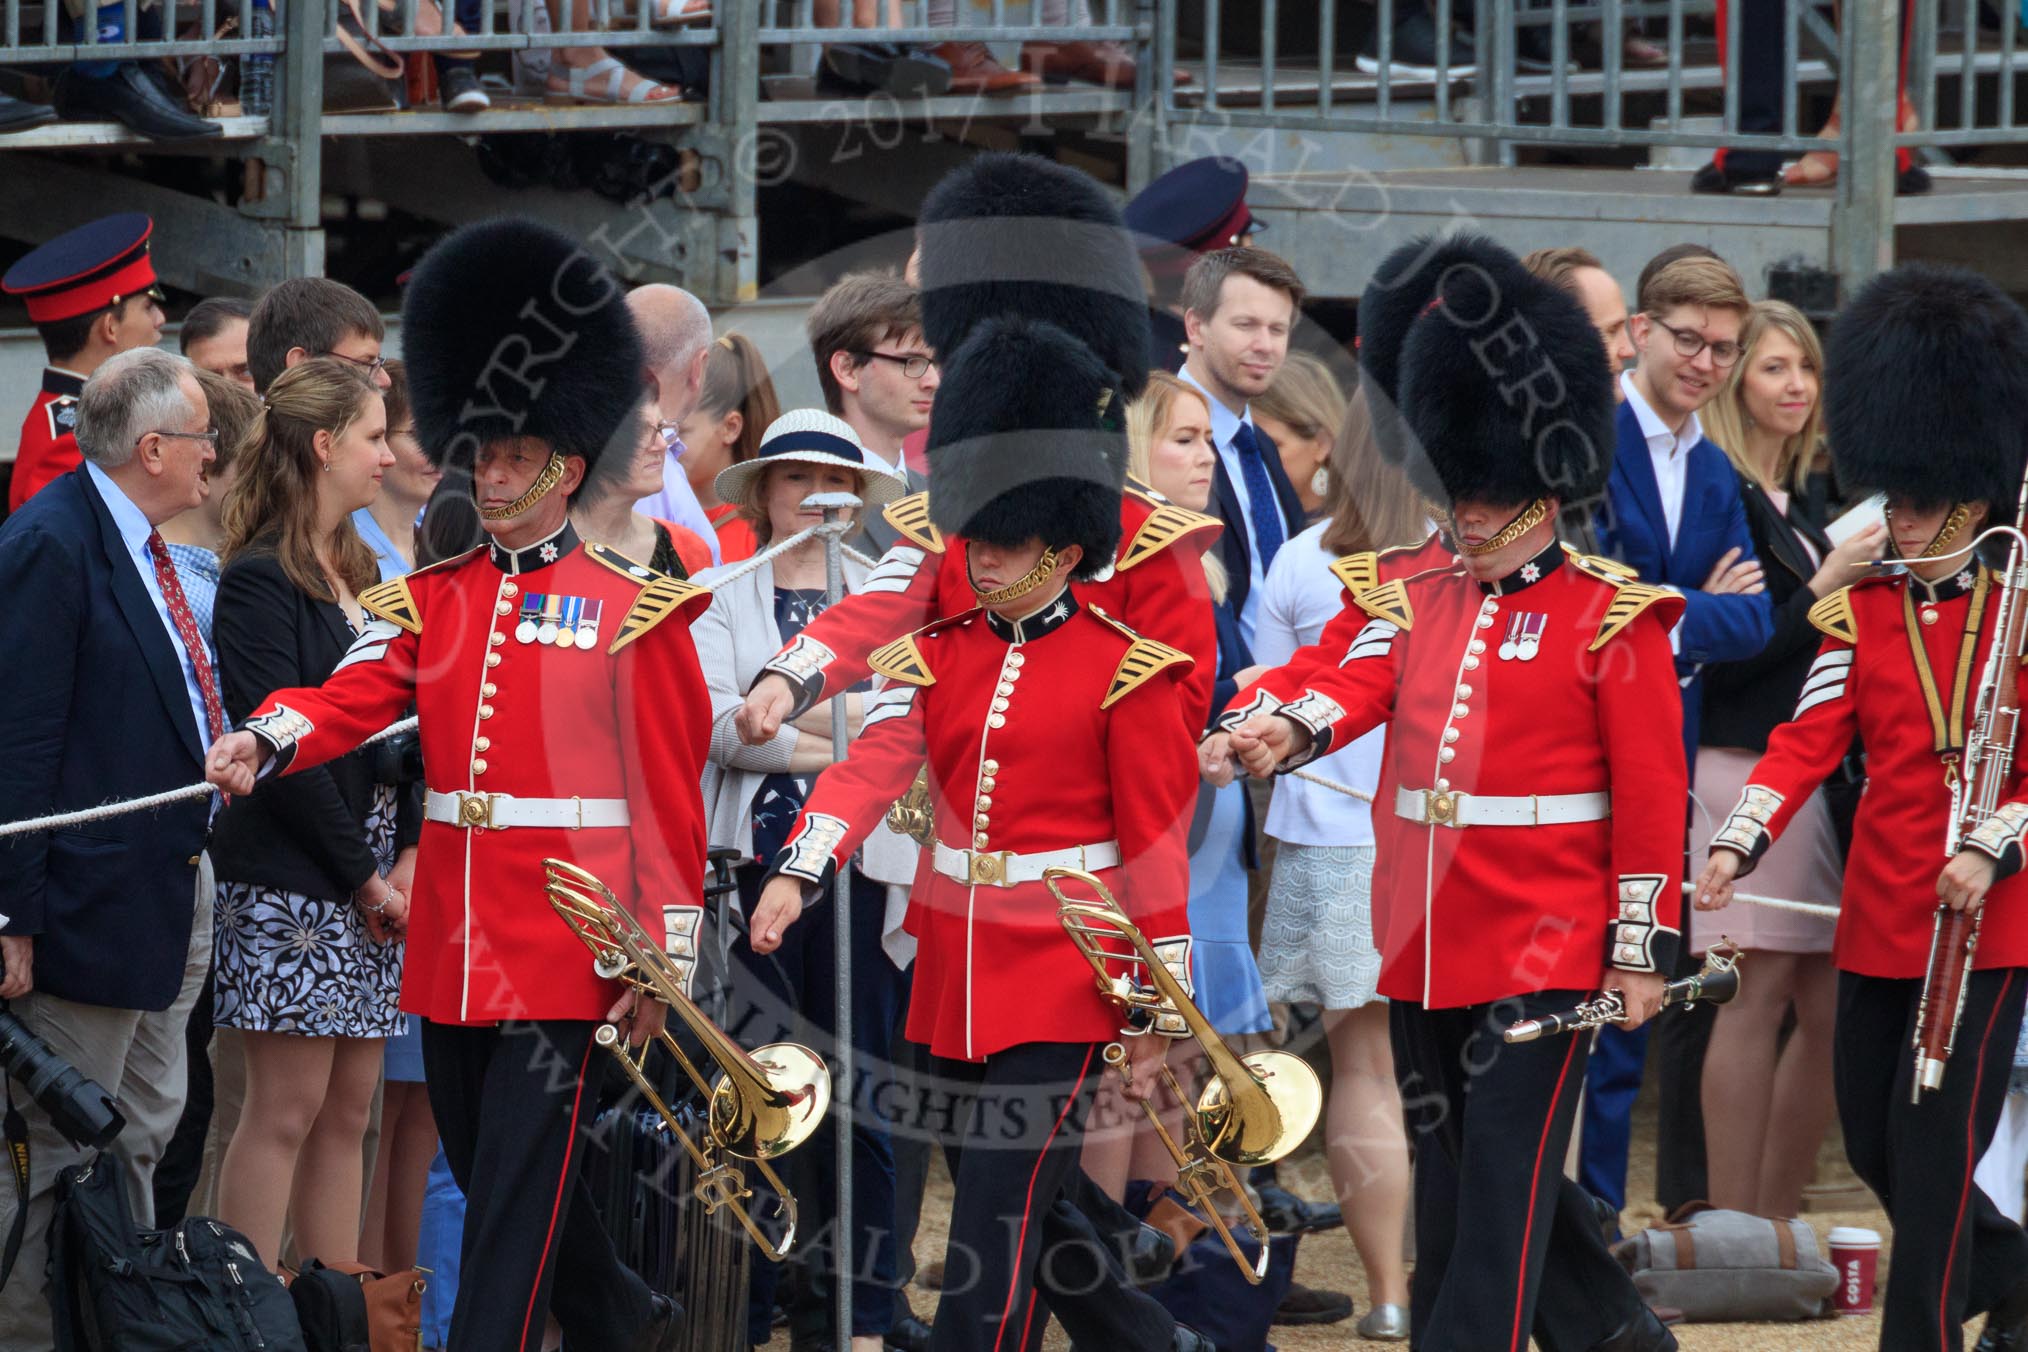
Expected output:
(551, 674)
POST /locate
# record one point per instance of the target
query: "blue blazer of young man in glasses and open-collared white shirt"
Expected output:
(1634, 530)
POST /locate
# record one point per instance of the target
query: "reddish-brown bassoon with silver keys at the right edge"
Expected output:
(1988, 763)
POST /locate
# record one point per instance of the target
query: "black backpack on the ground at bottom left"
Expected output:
(196, 1288)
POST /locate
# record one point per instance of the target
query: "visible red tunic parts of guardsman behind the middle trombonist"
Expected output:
(1157, 585)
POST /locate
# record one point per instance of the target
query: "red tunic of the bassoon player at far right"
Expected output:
(1869, 682)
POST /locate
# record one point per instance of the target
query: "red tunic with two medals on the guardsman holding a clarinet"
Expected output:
(1552, 684)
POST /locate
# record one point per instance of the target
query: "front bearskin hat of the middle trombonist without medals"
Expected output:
(1029, 443)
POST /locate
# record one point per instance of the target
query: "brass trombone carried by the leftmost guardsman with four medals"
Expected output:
(764, 1106)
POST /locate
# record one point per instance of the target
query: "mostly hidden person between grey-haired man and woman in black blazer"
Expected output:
(196, 540)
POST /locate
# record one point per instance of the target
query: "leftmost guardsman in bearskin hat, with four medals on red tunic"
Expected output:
(563, 717)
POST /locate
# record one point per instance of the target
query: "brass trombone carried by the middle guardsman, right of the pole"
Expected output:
(1256, 1108)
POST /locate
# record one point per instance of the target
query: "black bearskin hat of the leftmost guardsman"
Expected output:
(514, 329)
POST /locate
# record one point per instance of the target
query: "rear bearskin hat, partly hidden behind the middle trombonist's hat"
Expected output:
(1023, 236)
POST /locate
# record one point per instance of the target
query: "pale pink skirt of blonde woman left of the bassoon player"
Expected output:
(1802, 867)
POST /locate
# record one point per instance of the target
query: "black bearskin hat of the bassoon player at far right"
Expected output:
(1928, 376)
